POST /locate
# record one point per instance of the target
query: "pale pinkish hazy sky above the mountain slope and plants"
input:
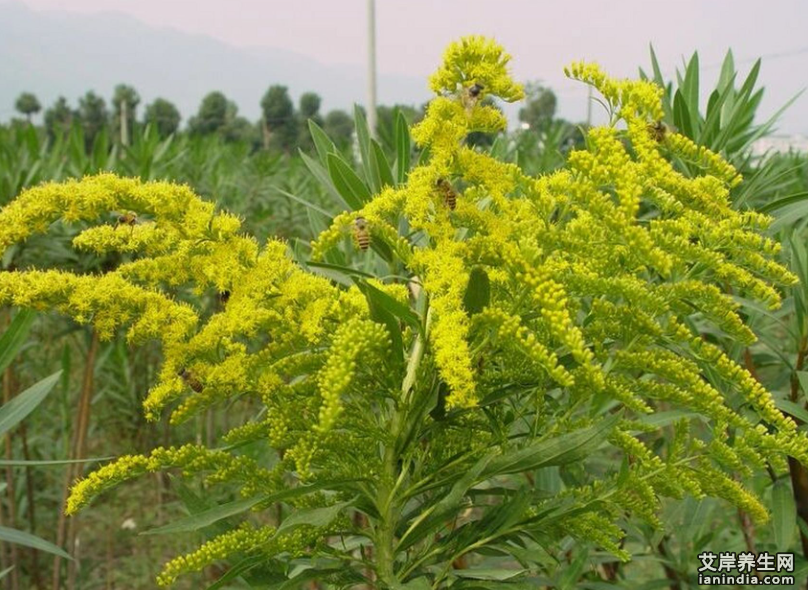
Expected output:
(542, 35)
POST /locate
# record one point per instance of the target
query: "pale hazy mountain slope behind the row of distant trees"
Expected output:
(61, 53)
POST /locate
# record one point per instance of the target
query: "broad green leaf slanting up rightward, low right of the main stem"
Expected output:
(560, 450)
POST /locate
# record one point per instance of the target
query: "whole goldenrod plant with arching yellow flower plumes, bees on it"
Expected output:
(524, 365)
